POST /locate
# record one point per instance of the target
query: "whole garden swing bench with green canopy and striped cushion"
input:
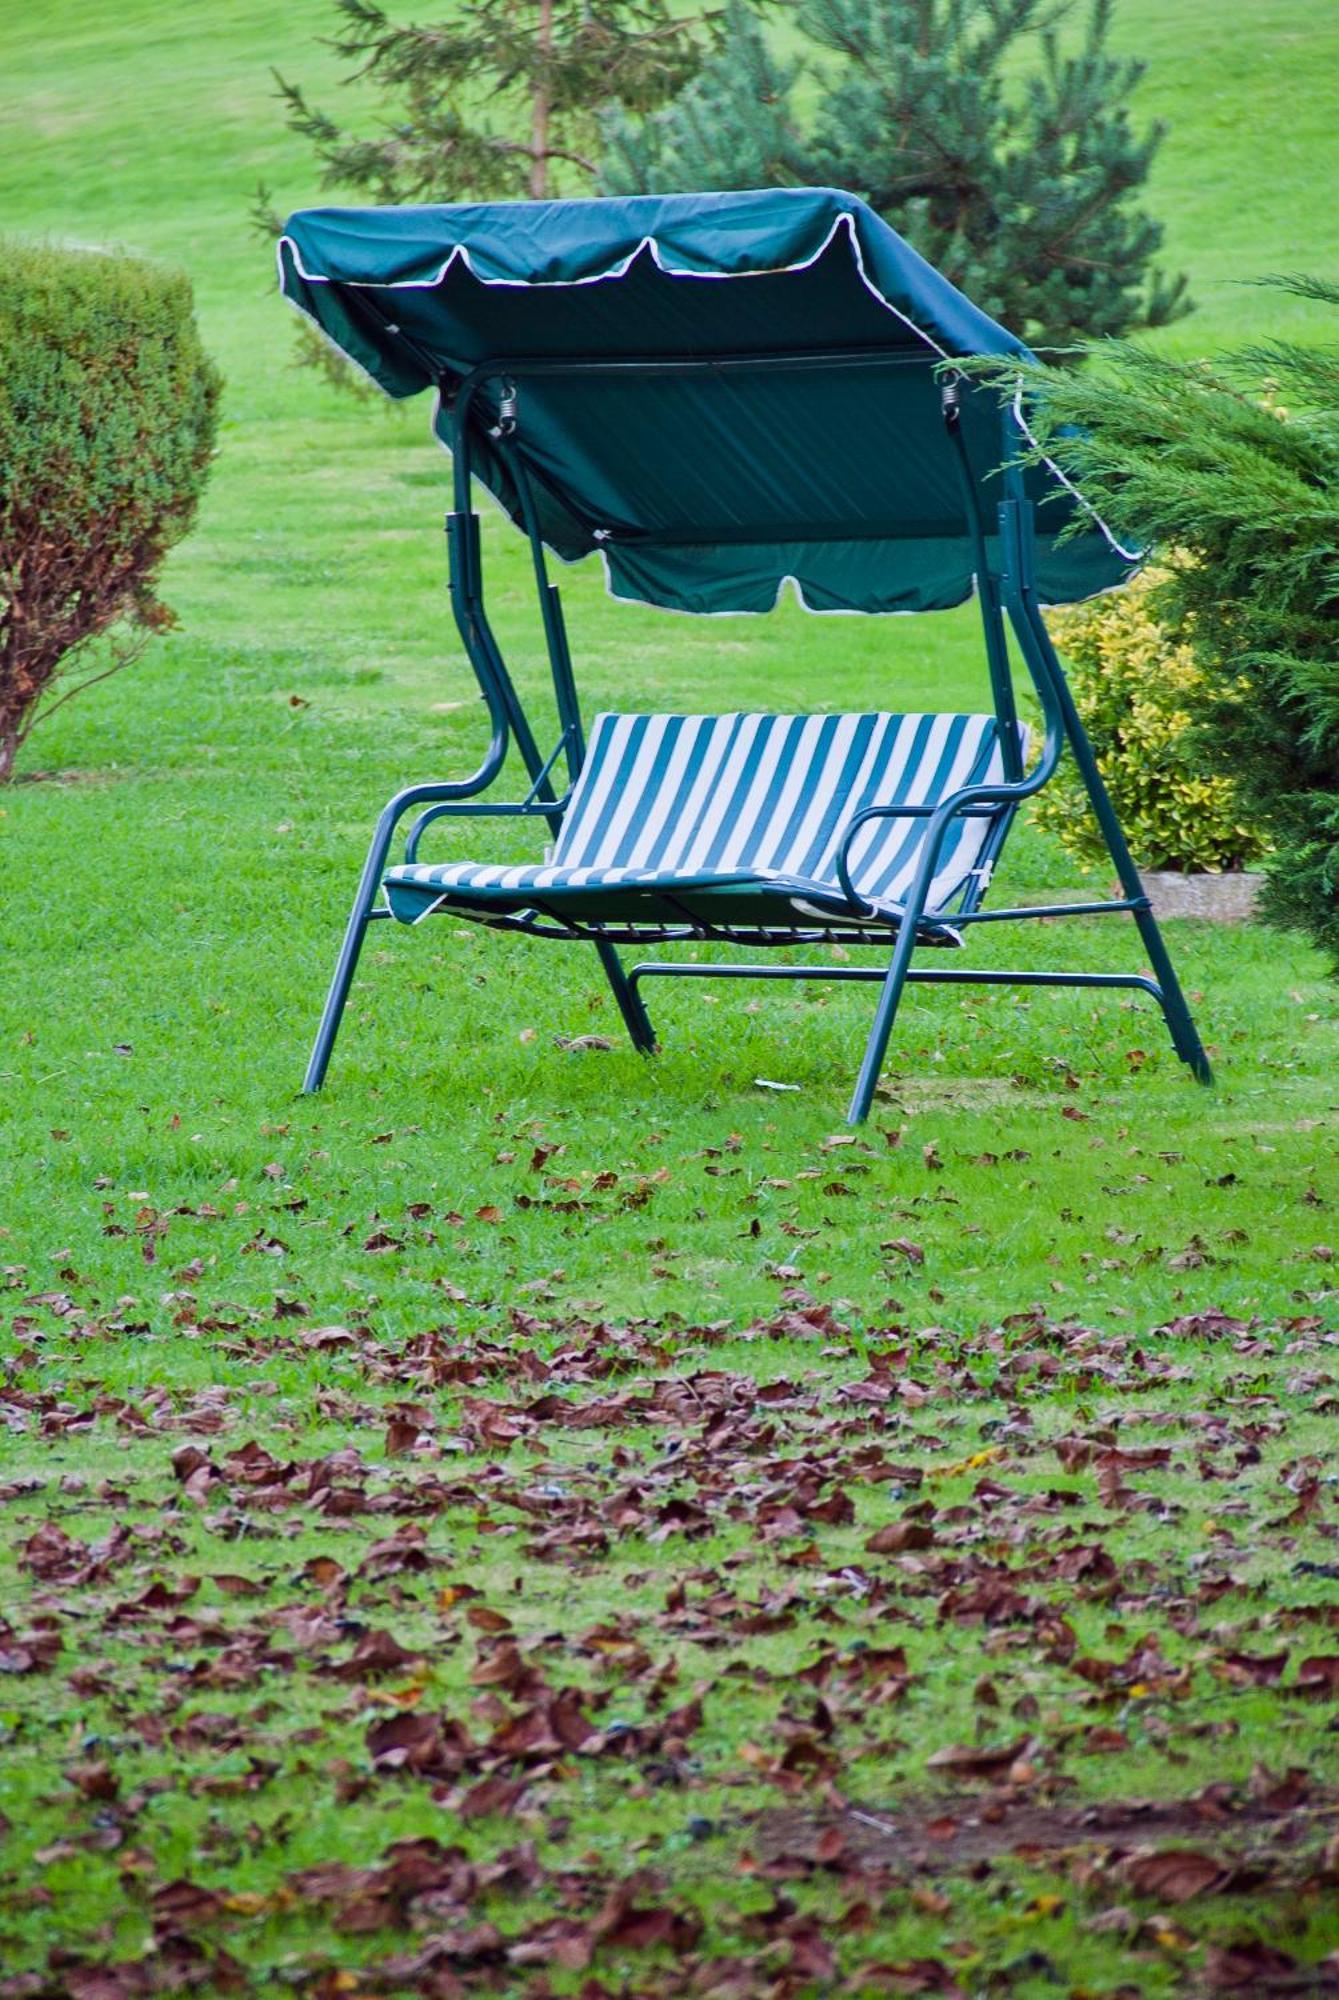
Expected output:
(722, 395)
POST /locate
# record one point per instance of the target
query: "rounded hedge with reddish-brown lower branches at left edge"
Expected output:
(109, 411)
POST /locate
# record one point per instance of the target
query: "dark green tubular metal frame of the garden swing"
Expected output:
(1008, 603)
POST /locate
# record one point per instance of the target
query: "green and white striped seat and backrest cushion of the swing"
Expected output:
(694, 805)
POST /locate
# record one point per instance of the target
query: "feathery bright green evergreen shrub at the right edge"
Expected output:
(1232, 469)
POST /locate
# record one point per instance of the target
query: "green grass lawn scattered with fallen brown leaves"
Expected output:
(647, 1353)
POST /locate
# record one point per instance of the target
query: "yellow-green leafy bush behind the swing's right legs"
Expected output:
(1138, 689)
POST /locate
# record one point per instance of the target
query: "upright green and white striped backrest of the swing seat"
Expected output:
(772, 795)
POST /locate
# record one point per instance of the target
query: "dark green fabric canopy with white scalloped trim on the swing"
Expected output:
(778, 413)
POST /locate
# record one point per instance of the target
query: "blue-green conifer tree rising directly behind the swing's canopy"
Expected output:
(1016, 179)
